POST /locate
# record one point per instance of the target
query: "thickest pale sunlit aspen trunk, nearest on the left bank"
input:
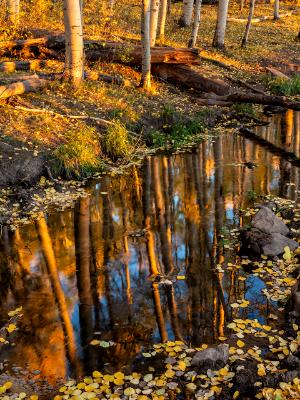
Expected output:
(74, 41)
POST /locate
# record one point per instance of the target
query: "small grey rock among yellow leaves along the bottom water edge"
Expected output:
(211, 358)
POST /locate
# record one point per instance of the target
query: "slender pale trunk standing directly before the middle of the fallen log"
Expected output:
(146, 52)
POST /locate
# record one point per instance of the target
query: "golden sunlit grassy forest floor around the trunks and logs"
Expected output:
(42, 134)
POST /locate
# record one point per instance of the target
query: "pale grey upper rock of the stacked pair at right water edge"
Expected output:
(266, 221)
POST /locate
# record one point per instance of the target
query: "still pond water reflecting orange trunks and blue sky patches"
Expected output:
(92, 272)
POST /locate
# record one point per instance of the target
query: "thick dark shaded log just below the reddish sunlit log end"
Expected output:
(185, 75)
